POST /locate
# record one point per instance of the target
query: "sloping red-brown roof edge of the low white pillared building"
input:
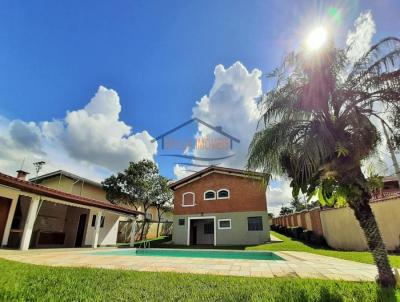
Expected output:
(30, 187)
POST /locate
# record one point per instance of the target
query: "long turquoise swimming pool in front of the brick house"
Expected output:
(183, 253)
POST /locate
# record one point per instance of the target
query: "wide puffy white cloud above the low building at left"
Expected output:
(92, 141)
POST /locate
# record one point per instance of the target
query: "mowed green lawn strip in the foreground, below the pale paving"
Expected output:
(25, 282)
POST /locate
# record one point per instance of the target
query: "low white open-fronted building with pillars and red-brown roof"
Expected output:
(36, 216)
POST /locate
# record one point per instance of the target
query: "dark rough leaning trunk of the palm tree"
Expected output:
(366, 218)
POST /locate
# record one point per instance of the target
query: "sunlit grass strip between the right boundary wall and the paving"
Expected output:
(290, 244)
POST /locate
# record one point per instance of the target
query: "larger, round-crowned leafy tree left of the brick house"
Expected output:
(137, 186)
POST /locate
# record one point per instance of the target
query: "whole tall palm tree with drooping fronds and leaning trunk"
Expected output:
(317, 128)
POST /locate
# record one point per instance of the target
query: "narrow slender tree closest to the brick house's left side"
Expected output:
(163, 199)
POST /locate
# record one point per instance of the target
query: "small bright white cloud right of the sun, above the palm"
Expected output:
(360, 39)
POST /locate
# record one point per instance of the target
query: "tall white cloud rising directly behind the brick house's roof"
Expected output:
(231, 105)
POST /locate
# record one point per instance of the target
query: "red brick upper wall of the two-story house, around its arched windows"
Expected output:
(246, 194)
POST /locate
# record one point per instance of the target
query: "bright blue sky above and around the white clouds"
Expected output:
(159, 57)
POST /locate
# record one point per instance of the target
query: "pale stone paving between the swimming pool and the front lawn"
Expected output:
(296, 264)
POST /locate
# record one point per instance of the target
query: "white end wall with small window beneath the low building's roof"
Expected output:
(108, 233)
